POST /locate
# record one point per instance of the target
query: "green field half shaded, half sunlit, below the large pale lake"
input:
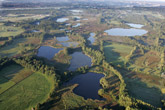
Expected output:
(116, 53)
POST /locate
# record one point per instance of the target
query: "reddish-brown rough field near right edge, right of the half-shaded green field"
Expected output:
(147, 63)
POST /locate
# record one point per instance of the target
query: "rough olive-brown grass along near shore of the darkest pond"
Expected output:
(69, 100)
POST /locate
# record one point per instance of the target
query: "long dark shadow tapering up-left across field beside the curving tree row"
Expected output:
(140, 90)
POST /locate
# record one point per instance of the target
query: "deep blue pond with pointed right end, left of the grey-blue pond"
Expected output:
(48, 52)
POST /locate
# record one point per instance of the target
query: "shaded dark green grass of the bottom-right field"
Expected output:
(141, 91)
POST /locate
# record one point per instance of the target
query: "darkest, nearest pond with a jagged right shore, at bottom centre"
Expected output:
(89, 84)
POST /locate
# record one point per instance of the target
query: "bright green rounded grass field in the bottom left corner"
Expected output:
(26, 94)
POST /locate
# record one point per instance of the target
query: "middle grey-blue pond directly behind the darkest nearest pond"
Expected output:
(79, 60)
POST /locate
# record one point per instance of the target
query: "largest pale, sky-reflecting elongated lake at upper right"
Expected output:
(126, 32)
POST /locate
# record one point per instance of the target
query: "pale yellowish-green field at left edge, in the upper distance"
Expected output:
(6, 31)
